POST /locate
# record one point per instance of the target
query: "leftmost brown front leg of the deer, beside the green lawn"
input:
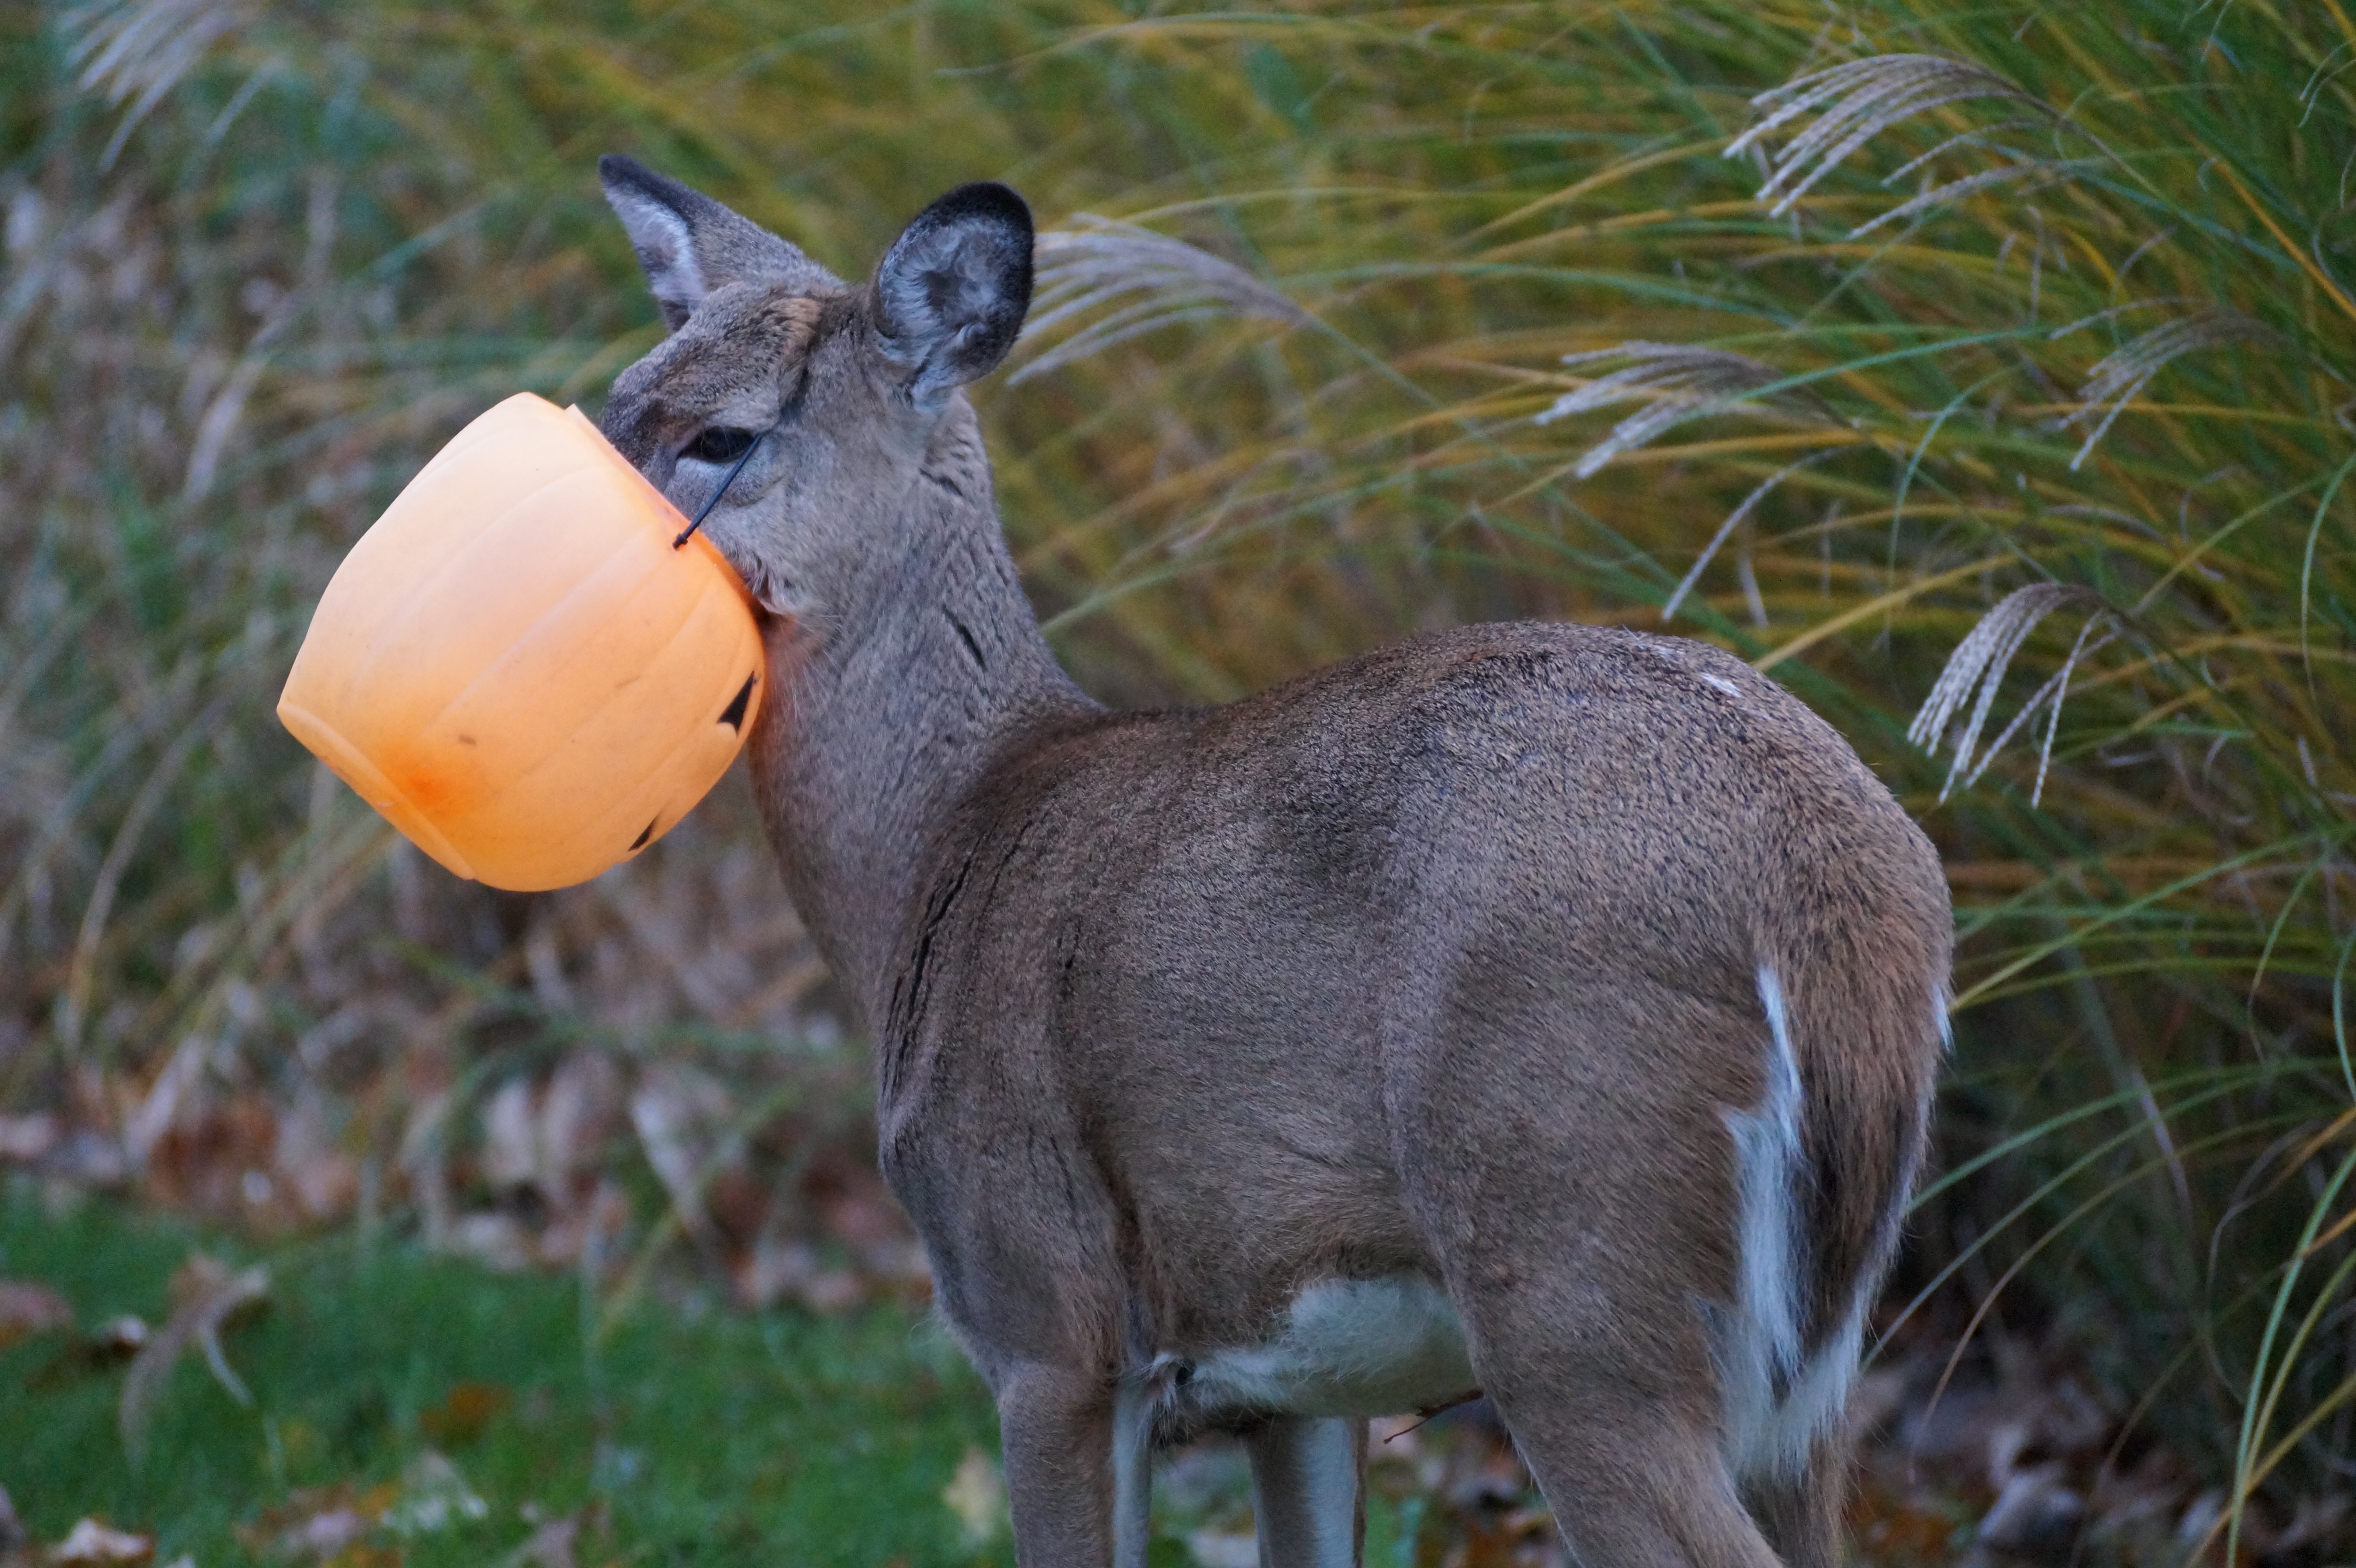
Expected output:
(1057, 1433)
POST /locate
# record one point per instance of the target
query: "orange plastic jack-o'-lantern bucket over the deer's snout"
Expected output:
(517, 667)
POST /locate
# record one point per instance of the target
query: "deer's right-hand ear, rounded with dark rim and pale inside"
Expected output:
(953, 291)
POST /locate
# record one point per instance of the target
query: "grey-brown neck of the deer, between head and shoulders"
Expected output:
(880, 722)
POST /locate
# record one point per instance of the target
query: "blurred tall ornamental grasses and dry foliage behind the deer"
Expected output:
(1985, 373)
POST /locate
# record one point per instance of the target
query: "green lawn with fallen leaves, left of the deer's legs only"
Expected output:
(668, 1437)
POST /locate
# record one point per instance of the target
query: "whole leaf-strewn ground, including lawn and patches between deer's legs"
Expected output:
(201, 1400)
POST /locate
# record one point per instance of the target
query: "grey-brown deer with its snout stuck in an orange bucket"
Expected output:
(1537, 1011)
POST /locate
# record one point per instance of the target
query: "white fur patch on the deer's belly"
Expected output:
(1349, 1348)
